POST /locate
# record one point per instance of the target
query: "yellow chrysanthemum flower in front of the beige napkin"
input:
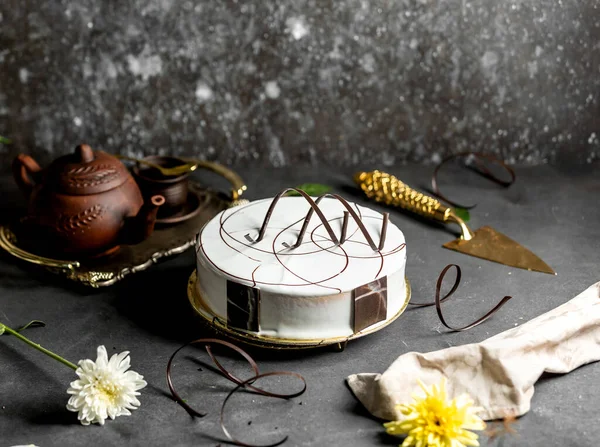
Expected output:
(433, 421)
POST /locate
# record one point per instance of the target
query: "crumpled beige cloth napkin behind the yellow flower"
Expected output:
(498, 373)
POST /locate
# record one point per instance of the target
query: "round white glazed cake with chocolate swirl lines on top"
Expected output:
(335, 282)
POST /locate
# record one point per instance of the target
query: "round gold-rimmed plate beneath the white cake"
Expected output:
(264, 341)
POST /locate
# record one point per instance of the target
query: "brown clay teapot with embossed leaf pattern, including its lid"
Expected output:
(85, 203)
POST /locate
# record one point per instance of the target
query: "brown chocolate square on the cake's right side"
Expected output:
(370, 304)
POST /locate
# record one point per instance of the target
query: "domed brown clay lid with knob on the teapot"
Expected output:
(86, 172)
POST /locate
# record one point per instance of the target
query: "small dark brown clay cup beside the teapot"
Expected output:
(152, 182)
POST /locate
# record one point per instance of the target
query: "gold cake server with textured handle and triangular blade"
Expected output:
(485, 243)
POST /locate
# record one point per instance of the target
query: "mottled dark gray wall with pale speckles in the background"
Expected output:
(269, 82)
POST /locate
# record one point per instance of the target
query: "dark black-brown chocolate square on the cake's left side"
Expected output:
(243, 305)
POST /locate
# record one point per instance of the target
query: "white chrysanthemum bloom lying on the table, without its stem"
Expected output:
(105, 388)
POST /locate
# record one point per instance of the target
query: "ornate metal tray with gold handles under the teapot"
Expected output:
(165, 241)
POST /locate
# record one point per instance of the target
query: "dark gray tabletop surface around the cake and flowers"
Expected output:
(552, 210)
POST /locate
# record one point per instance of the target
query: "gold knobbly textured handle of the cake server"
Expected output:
(390, 190)
